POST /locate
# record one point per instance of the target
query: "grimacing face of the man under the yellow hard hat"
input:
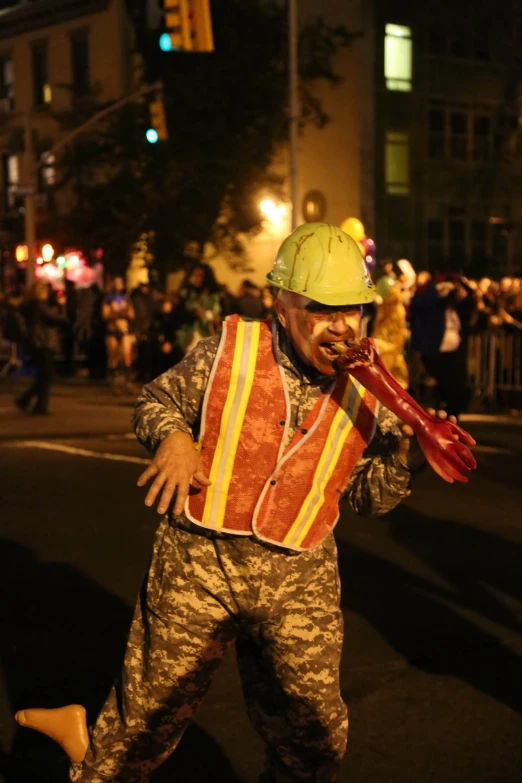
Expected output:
(316, 329)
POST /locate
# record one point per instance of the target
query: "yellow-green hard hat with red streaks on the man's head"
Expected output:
(320, 261)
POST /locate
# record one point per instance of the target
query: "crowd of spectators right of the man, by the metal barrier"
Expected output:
(434, 316)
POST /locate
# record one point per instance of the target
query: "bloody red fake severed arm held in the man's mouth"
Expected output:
(444, 443)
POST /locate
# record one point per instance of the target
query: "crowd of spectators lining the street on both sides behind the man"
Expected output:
(420, 324)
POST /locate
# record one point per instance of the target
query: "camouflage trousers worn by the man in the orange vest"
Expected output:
(202, 594)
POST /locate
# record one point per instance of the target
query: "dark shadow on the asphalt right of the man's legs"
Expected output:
(431, 622)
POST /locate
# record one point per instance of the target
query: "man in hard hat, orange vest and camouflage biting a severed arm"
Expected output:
(256, 435)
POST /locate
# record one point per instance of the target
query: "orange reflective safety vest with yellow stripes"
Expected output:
(287, 496)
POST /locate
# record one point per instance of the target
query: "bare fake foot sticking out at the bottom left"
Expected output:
(65, 725)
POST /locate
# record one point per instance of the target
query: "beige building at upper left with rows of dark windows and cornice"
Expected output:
(54, 54)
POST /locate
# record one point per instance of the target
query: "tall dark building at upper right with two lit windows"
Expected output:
(424, 143)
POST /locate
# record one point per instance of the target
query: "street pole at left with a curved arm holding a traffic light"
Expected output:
(32, 167)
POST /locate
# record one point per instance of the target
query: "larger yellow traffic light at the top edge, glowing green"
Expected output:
(188, 26)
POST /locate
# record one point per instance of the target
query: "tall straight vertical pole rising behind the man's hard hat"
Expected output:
(293, 109)
